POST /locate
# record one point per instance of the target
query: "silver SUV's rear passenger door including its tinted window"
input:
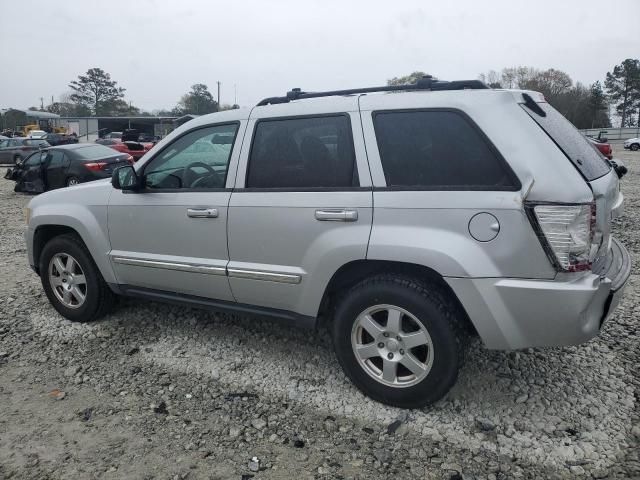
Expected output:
(302, 206)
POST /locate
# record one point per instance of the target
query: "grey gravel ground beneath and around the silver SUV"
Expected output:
(156, 391)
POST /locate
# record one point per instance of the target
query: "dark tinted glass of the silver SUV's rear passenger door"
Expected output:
(302, 153)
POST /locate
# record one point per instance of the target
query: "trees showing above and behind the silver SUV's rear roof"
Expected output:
(586, 106)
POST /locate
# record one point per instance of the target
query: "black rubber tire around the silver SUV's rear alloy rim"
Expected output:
(432, 307)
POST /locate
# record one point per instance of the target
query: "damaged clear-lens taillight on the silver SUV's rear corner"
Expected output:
(567, 233)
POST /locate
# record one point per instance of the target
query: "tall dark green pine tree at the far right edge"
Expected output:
(623, 86)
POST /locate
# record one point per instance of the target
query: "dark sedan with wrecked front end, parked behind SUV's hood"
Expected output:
(66, 165)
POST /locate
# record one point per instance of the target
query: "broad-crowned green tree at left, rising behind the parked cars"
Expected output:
(96, 91)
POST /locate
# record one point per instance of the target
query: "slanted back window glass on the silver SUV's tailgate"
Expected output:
(588, 160)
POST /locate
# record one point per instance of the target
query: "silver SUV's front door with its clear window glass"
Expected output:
(172, 235)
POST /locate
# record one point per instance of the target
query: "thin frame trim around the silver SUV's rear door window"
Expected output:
(259, 120)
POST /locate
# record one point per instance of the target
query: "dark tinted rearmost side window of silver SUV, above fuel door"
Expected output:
(438, 150)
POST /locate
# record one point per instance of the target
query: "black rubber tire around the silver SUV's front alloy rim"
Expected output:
(99, 297)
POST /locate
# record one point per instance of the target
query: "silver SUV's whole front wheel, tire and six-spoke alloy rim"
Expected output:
(71, 280)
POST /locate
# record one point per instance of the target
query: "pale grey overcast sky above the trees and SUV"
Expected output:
(157, 49)
